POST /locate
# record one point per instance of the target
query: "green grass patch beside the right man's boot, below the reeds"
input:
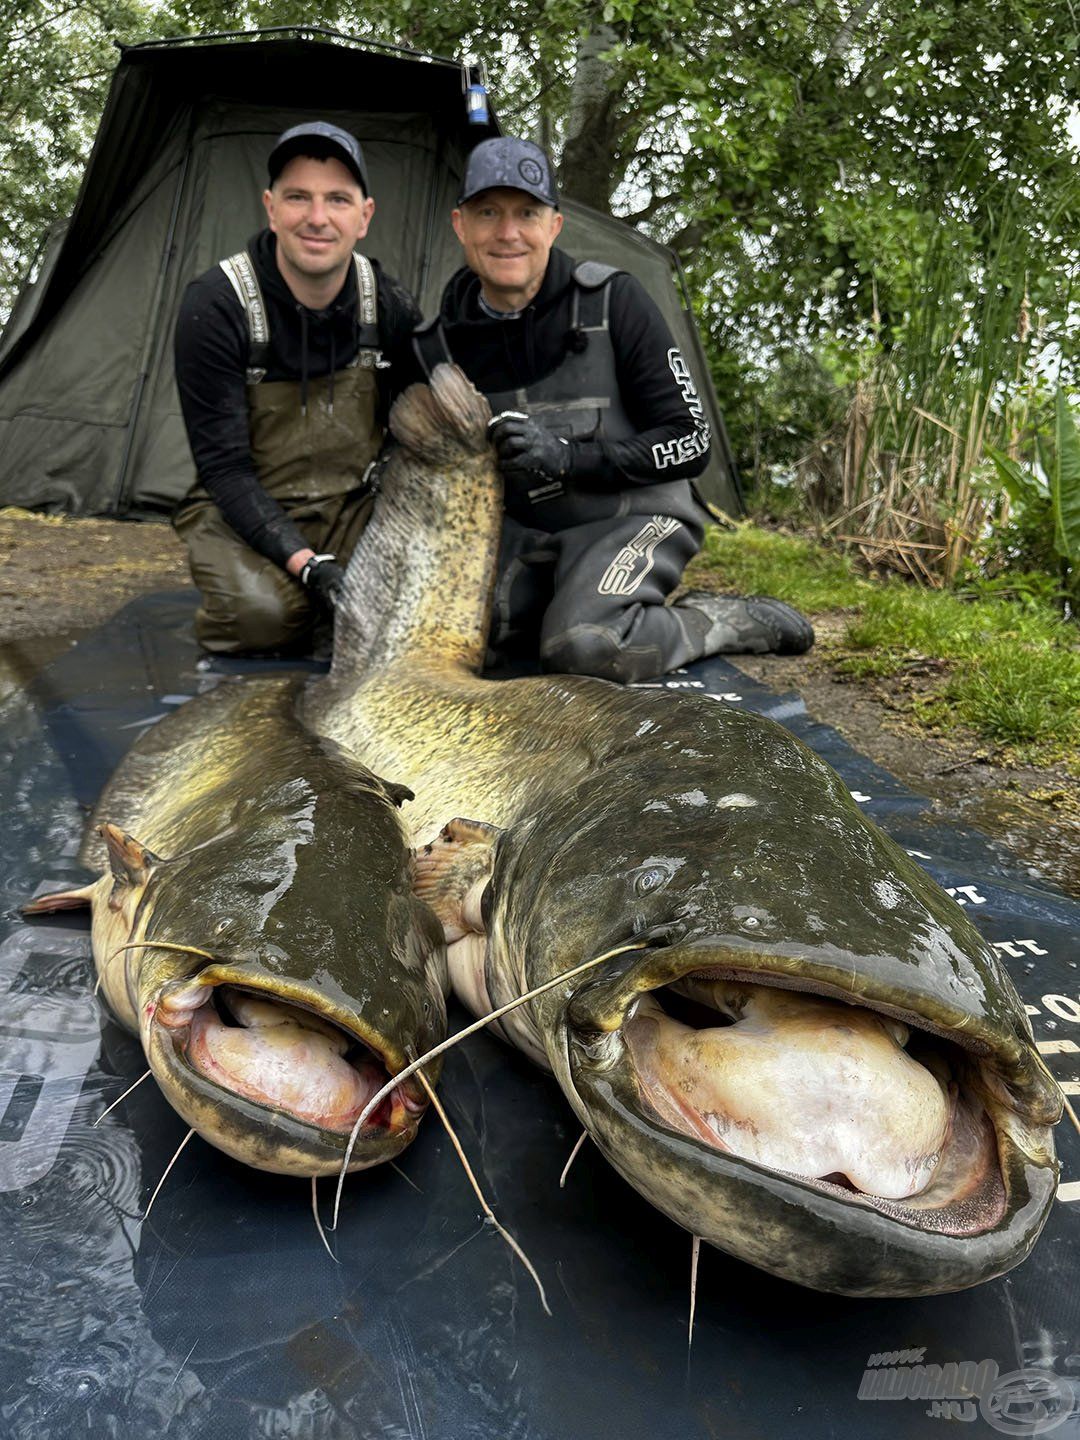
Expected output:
(1004, 669)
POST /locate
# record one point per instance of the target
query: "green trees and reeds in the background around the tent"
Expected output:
(869, 199)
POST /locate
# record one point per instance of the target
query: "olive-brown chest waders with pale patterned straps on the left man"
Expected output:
(312, 459)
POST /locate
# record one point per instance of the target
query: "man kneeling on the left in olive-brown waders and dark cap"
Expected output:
(287, 358)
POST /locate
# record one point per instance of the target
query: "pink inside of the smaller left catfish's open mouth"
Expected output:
(284, 1056)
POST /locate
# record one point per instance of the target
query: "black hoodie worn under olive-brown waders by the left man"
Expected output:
(211, 365)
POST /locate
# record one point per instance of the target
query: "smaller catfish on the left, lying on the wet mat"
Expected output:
(261, 935)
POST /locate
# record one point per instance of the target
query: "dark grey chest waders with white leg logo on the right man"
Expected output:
(588, 570)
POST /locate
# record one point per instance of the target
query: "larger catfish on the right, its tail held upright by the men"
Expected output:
(810, 1058)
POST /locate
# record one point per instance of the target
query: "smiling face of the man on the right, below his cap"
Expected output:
(508, 237)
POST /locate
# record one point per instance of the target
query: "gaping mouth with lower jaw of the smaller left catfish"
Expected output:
(294, 1082)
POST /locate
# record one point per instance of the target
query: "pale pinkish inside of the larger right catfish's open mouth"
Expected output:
(842, 1098)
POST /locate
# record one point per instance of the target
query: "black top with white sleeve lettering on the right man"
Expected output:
(654, 384)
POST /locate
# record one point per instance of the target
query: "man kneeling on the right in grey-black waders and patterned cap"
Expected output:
(600, 433)
